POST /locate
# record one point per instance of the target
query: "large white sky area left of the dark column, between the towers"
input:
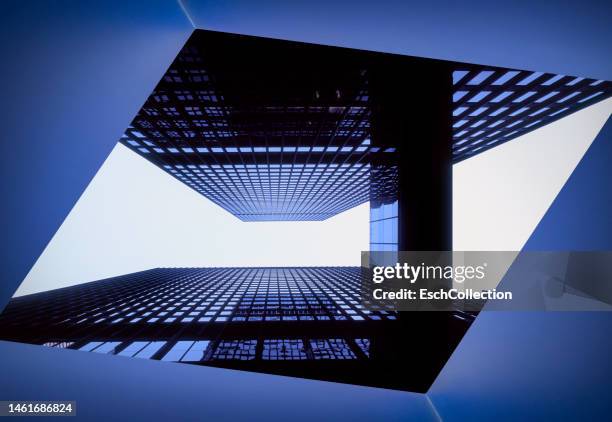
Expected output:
(133, 216)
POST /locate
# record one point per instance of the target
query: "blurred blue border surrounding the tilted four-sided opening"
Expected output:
(74, 74)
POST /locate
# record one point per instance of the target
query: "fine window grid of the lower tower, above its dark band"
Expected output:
(202, 295)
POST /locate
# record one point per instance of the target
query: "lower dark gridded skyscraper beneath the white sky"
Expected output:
(307, 322)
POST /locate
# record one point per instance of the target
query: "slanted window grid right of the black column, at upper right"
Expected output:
(493, 106)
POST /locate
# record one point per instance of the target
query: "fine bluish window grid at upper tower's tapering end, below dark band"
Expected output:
(262, 192)
